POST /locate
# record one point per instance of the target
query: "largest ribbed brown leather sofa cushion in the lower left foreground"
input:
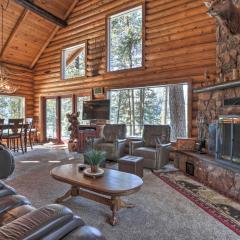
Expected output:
(39, 223)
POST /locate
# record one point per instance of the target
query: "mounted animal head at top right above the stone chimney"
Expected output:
(226, 12)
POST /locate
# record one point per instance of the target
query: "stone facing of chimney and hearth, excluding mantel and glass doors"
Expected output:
(207, 170)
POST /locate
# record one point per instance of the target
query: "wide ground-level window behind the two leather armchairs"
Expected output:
(152, 105)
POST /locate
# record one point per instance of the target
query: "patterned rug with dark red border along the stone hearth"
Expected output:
(220, 207)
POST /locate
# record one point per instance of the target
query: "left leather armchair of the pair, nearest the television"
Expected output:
(112, 141)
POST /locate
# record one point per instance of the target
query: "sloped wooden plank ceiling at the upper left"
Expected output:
(26, 34)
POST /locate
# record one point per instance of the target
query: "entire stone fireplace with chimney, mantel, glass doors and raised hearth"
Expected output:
(219, 106)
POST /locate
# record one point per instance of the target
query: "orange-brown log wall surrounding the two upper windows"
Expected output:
(180, 46)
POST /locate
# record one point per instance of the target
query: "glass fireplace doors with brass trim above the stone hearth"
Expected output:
(228, 139)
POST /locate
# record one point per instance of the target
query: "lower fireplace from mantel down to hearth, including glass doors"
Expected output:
(220, 167)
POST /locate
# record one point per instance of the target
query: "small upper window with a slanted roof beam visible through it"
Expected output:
(74, 61)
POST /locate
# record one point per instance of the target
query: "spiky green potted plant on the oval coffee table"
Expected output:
(94, 158)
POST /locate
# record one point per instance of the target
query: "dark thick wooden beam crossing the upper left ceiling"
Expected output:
(42, 12)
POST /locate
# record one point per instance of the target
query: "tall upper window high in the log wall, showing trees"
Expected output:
(125, 40)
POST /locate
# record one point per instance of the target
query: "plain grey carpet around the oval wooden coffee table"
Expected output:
(161, 213)
